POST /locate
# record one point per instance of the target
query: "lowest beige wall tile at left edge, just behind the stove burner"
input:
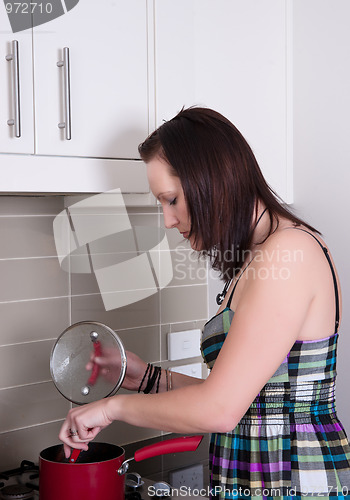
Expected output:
(27, 444)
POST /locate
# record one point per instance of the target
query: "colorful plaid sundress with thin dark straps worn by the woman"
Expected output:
(290, 442)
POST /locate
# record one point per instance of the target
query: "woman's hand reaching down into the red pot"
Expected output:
(83, 424)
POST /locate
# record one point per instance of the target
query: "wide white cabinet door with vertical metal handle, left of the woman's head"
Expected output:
(107, 44)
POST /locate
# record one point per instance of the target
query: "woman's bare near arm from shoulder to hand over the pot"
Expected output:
(273, 306)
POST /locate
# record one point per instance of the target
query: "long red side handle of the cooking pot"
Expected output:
(185, 443)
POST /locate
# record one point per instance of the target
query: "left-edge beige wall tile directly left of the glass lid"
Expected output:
(25, 363)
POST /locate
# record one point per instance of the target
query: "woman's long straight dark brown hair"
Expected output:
(221, 180)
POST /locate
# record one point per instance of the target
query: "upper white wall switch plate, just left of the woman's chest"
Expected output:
(185, 344)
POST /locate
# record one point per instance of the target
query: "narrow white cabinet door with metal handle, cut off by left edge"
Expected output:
(9, 142)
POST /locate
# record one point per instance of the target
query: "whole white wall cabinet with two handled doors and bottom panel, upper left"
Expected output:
(110, 87)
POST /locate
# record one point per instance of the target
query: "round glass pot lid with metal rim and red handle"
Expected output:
(74, 374)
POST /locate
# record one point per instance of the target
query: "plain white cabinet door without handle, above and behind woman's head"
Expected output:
(232, 57)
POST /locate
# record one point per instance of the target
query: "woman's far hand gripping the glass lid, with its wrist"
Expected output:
(109, 363)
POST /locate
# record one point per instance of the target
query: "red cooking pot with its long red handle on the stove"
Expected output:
(99, 473)
